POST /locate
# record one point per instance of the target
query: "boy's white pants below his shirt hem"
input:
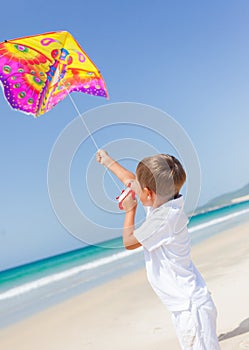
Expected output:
(196, 327)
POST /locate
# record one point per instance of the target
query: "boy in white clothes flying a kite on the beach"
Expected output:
(166, 242)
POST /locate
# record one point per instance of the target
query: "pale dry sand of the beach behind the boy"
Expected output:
(126, 314)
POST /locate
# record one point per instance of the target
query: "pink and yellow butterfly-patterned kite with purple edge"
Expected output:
(39, 71)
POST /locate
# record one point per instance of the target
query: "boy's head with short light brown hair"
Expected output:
(162, 175)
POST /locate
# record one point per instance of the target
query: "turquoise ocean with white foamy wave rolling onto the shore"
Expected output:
(33, 287)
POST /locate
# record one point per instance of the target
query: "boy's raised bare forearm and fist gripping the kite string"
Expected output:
(122, 173)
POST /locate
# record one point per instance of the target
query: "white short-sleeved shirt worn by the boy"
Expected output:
(170, 271)
